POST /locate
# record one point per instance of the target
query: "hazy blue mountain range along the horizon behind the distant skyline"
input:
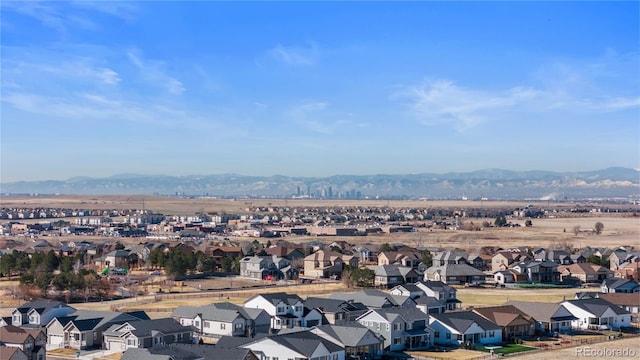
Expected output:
(614, 182)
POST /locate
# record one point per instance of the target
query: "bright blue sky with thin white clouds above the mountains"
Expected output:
(317, 88)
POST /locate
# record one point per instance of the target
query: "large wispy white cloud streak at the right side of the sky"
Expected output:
(579, 88)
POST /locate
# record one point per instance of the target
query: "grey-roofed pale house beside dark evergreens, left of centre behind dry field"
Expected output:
(266, 268)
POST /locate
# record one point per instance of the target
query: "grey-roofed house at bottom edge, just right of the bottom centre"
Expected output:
(358, 341)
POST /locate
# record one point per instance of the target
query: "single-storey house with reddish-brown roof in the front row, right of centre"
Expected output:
(514, 323)
